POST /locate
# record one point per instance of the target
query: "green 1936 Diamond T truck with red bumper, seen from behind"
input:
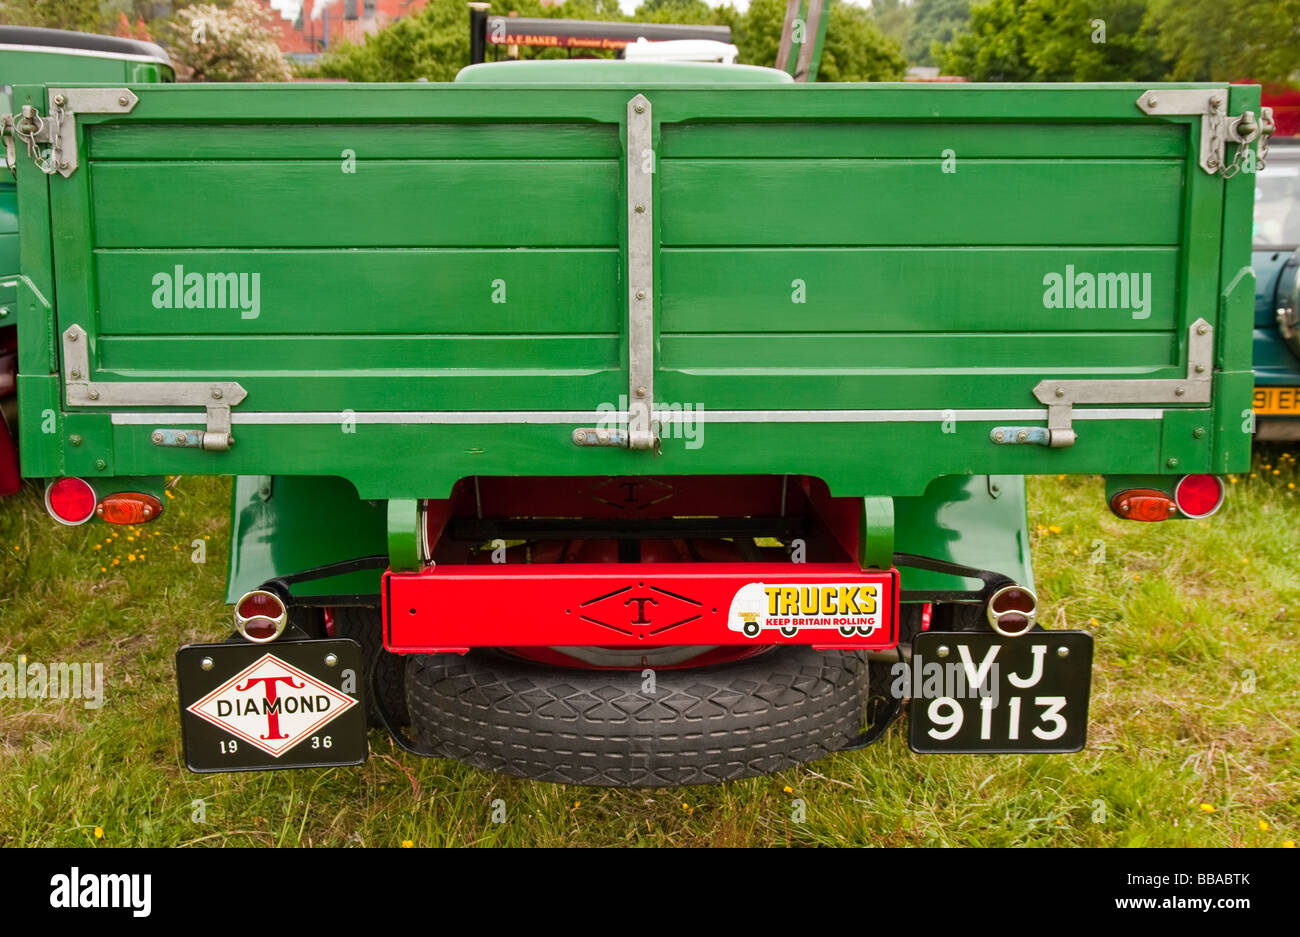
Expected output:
(632, 424)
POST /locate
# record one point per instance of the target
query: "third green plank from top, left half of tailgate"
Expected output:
(502, 293)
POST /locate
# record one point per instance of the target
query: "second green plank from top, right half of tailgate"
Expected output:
(846, 202)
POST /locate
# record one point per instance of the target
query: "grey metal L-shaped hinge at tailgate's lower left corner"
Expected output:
(215, 397)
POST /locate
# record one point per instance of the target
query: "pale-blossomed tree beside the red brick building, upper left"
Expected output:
(227, 44)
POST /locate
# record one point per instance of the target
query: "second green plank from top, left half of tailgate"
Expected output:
(393, 203)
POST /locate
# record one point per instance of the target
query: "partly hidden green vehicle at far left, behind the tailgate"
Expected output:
(28, 55)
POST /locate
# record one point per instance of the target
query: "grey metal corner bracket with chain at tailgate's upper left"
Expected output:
(58, 131)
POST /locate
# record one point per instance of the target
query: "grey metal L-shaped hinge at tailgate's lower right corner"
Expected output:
(1061, 396)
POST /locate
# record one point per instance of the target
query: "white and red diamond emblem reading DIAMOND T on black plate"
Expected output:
(272, 705)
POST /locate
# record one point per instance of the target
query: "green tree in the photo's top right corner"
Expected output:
(1230, 40)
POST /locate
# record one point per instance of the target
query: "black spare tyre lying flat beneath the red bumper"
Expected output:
(603, 727)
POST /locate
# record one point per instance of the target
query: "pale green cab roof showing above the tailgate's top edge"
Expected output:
(609, 72)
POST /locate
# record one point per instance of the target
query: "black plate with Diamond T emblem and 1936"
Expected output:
(284, 705)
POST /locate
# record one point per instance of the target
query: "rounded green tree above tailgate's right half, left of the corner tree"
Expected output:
(1056, 41)
